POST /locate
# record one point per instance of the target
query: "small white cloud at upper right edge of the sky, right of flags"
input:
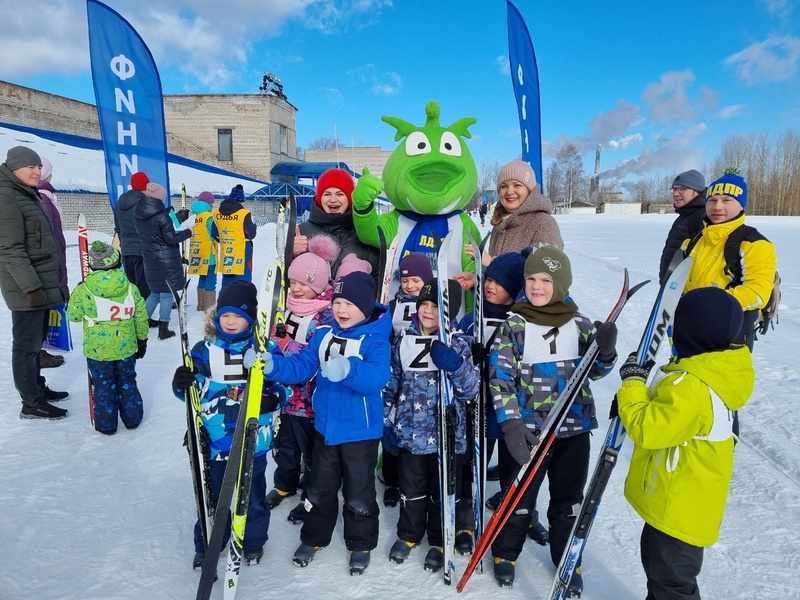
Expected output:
(774, 59)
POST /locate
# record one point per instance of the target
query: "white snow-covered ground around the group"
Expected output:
(88, 516)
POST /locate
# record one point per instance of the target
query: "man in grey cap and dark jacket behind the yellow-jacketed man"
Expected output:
(689, 199)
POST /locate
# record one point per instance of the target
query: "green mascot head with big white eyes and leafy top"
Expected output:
(432, 171)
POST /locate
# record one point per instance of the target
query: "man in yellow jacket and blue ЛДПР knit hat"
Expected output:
(725, 208)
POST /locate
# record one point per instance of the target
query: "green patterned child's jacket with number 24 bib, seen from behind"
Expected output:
(113, 336)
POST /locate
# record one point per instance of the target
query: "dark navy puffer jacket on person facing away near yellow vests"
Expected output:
(160, 242)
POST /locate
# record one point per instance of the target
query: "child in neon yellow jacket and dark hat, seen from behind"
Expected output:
(682, 460)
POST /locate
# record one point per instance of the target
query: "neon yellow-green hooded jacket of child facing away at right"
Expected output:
(677, 482)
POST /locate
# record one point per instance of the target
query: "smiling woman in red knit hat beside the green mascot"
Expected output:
(332, 215)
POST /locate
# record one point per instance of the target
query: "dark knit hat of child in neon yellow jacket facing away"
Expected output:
(706, 320)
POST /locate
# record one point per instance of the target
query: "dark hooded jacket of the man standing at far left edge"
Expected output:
(28, 250)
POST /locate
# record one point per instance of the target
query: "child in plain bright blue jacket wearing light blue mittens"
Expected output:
(350, 358)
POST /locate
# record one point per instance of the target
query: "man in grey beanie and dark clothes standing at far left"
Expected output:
(29, 278)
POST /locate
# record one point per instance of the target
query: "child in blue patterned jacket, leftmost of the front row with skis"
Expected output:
(220, 370)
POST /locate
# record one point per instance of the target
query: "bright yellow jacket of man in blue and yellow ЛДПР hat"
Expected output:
(758, 265)
